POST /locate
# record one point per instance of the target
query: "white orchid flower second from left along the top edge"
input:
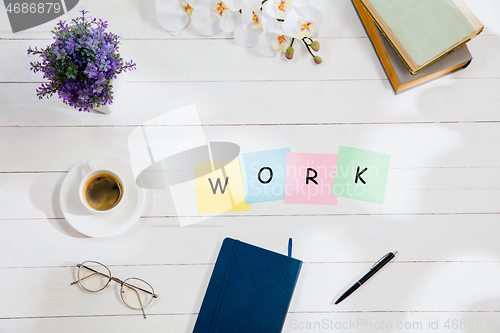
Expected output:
(212, 16)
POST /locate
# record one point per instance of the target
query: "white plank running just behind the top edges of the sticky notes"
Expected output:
(438, 144)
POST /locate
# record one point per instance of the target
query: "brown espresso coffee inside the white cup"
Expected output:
(102, 192)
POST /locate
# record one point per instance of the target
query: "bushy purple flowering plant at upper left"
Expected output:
(81, 63)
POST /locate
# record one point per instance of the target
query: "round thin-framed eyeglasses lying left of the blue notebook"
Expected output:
(135, 293)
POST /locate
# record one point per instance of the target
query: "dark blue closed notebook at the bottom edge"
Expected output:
(249, 292)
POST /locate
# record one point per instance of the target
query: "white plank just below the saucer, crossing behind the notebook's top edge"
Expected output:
(467, 238)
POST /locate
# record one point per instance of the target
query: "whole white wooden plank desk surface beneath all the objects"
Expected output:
(441, 208)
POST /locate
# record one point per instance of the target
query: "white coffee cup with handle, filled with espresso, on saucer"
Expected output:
(101, 191)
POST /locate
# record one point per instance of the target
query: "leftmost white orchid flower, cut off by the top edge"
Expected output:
(173, 15)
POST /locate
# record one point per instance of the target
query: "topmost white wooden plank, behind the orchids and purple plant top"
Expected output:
(137, 20)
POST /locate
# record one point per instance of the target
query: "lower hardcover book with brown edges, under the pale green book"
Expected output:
(397, 72)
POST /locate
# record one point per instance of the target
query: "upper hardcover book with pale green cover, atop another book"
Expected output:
(423, 31)
